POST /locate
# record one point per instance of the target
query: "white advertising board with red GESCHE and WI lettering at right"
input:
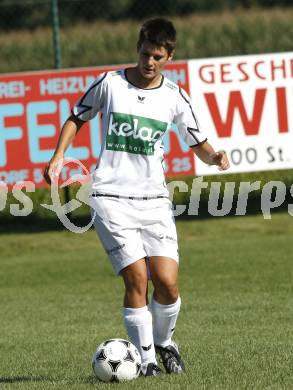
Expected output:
(243, 102)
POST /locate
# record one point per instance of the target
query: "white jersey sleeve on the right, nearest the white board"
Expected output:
(187, 122)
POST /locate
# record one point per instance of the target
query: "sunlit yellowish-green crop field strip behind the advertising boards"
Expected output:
(100, 43)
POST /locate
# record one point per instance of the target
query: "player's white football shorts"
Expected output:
(132, 229)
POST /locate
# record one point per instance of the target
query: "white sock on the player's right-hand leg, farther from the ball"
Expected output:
(164, 319)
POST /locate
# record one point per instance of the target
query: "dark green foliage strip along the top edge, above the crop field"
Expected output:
(35, 13)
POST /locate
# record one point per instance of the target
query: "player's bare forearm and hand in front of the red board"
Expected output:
(67, 135)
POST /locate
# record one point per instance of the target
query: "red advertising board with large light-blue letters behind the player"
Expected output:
(33, 107)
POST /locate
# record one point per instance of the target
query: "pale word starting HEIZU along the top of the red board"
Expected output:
(62, 85)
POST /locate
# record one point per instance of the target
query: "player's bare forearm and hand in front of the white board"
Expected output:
(208, 155)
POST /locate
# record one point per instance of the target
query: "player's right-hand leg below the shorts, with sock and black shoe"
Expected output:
(165, 309)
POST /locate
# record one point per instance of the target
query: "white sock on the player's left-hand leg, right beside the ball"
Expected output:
(138, 323)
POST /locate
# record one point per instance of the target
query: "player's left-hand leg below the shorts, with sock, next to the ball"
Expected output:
(137, 317)
